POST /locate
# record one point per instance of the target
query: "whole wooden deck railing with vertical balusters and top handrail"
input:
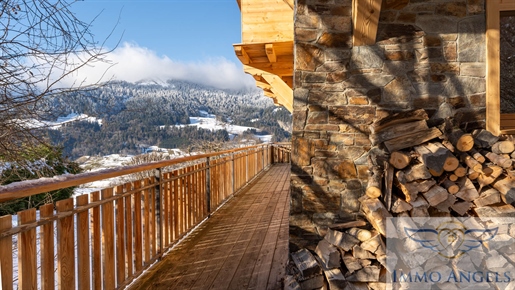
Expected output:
(106, 239)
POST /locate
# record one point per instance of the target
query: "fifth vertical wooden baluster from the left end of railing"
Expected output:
(83, 258)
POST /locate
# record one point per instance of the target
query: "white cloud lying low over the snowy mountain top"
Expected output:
(134, 63)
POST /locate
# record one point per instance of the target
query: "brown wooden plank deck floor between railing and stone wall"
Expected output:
(244, 245)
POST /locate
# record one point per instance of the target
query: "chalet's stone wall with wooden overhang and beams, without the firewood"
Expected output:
(355, 62)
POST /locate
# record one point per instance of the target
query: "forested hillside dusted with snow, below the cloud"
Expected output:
(135, 115)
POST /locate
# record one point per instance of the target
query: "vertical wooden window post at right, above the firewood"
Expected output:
(493, 65)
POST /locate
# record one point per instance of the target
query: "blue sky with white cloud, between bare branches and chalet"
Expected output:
(184, 39)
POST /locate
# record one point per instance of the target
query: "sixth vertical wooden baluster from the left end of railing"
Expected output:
(96, 243)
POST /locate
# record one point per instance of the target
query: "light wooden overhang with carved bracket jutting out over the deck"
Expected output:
(266, 51)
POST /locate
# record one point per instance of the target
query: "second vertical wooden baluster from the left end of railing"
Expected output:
(27, 265)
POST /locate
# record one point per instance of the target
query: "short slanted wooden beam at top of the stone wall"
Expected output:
(365, 18)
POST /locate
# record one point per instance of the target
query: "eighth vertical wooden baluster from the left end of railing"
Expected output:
(120, 237)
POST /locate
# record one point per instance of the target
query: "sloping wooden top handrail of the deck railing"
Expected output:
(31, 187)
